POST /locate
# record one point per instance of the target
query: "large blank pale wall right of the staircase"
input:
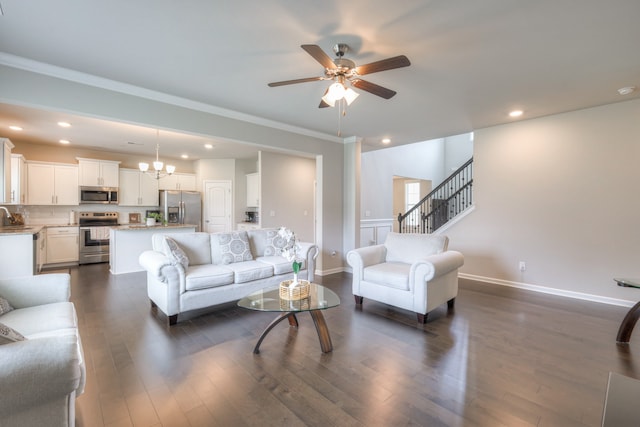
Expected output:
(560, 193)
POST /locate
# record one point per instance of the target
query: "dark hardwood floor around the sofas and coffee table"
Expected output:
(504, 357)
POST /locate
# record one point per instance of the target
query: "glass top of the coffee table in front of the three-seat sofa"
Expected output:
(268, 299)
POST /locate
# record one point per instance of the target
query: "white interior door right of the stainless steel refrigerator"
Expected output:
(218, 208)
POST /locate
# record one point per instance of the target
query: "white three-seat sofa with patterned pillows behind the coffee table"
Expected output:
(216, 268)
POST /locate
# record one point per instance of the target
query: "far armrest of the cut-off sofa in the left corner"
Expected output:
(30, 291)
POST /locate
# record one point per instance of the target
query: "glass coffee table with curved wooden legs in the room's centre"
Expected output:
(268, 299)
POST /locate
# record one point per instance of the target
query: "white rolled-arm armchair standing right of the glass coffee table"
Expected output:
(412, 271)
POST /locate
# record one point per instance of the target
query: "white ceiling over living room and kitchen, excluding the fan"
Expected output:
(471, 61)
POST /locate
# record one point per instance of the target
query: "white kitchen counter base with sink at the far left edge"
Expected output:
(18, 246)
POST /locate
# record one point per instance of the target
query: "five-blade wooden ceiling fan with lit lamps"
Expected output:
(341, 70)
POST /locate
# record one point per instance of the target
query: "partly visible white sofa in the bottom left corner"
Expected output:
(42, 375)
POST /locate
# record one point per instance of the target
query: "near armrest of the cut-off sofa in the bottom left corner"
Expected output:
(37, 371)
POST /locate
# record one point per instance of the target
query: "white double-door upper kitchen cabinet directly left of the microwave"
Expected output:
(52, 184)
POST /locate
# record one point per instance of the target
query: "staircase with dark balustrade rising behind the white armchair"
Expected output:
(450, 198)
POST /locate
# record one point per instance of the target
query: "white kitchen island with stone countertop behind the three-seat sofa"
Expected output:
(127, 242)
